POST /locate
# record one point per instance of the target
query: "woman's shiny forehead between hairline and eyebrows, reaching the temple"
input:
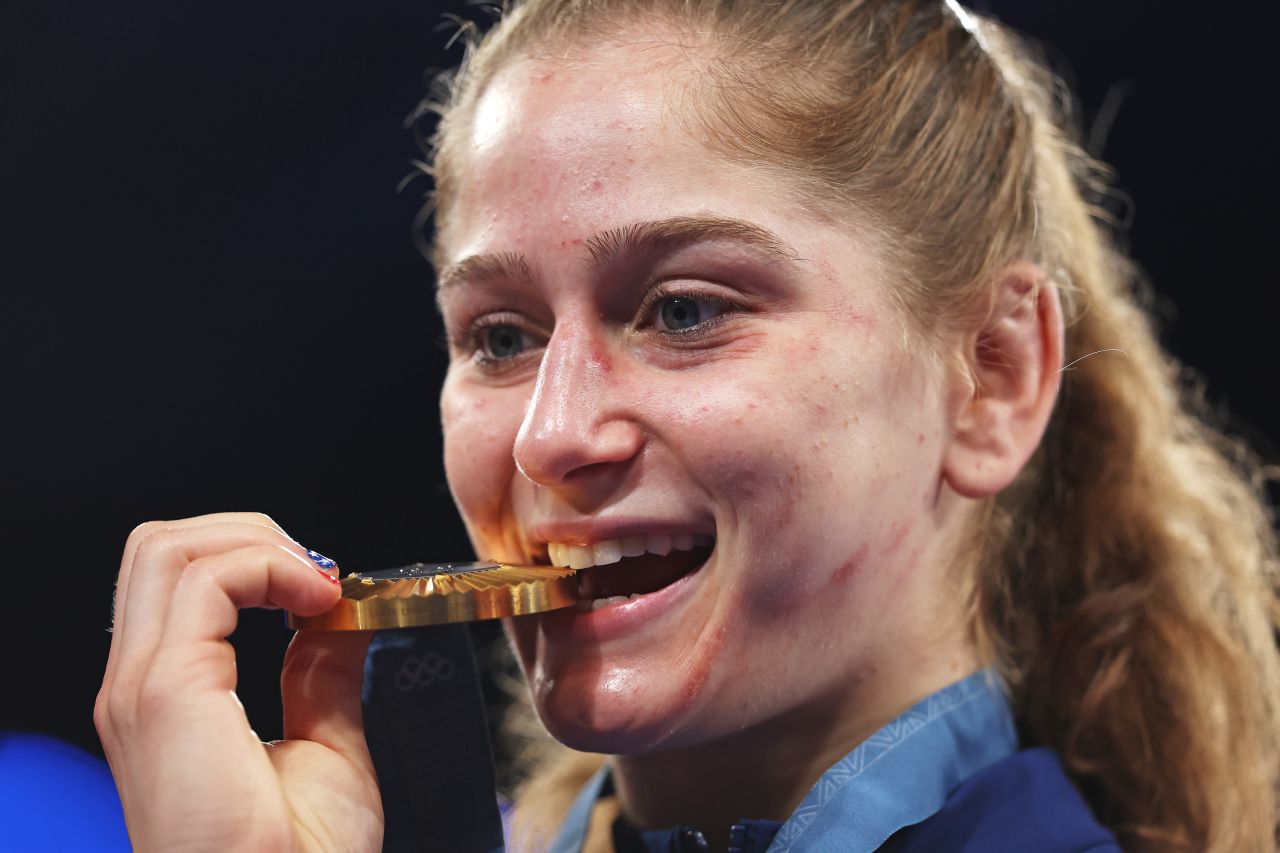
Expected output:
(559, 152)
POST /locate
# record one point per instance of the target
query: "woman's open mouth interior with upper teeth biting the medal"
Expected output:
(633, 571)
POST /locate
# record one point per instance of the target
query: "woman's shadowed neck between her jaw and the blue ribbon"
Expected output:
(765, 772)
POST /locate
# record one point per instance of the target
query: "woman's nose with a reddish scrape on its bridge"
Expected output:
(578, 428)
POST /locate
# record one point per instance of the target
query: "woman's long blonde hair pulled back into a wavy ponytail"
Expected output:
(1126, 585)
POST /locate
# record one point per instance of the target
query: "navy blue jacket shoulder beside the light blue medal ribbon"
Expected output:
(1025, 802)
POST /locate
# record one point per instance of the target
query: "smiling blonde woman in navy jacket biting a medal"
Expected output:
(789, 323)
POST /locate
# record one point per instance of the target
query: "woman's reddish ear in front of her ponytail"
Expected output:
(1000, 412)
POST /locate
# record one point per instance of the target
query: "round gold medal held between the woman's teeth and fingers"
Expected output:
(444, 592)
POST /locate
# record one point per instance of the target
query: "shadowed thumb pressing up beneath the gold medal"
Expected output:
(321, 690)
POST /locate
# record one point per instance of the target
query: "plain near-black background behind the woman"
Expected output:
(213, 300)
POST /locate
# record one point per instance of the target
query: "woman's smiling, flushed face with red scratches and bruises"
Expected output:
(655, 348)
